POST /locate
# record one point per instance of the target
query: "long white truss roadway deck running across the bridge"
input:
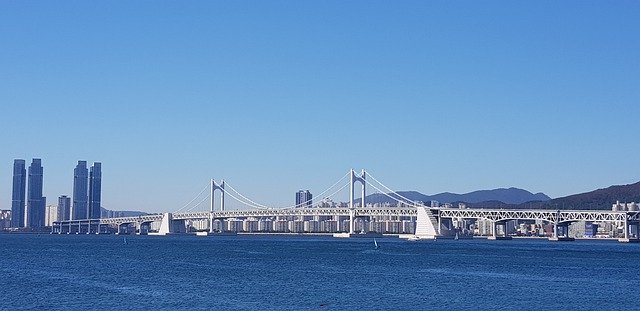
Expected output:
(559, 218)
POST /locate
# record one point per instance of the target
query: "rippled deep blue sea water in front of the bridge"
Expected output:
(72, 272)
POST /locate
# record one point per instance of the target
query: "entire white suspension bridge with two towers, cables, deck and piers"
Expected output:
(430, 222)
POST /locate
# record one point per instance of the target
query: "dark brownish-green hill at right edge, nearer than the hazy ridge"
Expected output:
(600, 199)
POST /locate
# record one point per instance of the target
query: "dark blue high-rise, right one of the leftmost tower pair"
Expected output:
(35, 201)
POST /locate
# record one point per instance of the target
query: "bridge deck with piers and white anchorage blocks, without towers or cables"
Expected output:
(430, 222)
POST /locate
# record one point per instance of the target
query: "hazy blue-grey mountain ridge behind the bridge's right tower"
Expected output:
(510, 196)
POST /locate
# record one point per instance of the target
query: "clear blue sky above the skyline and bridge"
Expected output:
(276, 96)
